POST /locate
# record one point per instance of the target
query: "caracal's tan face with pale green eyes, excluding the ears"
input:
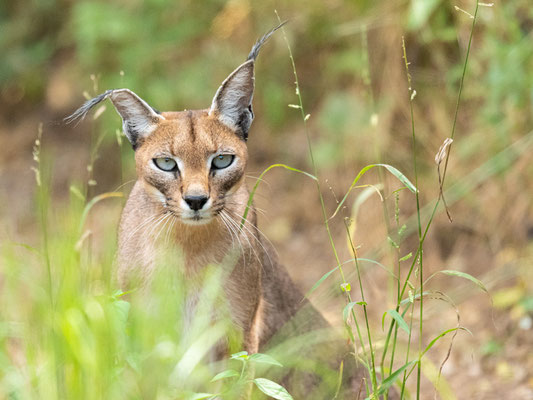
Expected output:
(191, 165)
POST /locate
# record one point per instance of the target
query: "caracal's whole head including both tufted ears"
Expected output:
(190, 162)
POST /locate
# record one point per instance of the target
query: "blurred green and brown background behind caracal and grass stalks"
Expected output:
(348, 55)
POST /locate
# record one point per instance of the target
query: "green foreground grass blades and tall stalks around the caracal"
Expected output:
(67, 332)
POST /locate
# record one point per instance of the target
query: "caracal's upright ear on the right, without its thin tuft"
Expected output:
(232, 103)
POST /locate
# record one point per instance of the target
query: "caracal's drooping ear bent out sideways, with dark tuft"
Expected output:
(138, 119)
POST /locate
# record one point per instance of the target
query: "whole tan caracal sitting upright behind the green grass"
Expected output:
(188, 209)
